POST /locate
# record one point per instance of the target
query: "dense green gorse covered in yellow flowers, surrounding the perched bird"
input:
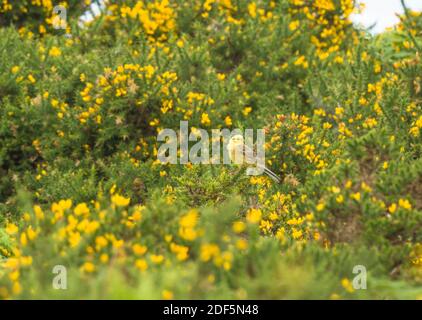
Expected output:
(81, 186)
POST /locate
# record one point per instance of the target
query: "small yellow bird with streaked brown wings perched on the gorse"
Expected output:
(238, 152)
